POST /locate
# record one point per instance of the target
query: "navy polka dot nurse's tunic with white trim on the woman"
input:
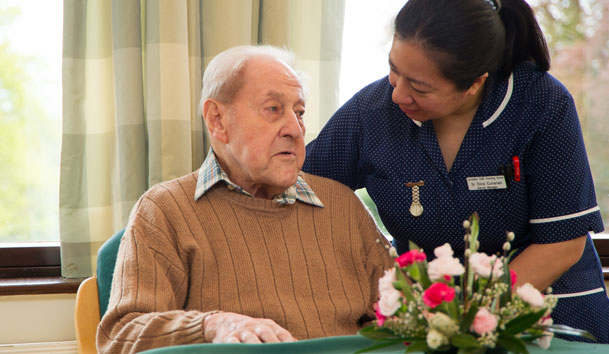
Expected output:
(371, 143)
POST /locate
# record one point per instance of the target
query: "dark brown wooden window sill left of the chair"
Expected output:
(38, 286)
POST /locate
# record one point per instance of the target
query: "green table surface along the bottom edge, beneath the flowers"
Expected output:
(350, 344)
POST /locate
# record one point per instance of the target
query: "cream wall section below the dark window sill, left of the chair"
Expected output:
(37, 318)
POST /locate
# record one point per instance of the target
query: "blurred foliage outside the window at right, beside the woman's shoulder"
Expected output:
(577, 33)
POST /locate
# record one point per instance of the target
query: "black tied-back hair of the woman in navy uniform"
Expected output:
(468, 38)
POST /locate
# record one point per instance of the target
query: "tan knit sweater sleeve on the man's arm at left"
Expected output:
(149, 289)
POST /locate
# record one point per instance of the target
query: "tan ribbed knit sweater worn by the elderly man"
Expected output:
(312, 270)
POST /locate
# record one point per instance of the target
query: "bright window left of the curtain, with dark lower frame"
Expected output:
(30, 132)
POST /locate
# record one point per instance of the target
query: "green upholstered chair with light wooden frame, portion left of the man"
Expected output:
(93, 295)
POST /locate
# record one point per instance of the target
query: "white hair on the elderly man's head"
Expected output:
(221, 77)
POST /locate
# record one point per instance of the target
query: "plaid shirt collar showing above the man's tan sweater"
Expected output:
(211, 173)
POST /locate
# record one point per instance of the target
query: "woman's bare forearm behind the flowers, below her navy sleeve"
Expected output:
(542, 264)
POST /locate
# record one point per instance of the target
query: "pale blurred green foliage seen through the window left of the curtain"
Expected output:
(26, 134)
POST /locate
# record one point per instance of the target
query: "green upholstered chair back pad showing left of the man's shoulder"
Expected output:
(106, 260)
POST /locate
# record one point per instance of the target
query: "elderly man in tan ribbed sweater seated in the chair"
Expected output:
(248, 248)
